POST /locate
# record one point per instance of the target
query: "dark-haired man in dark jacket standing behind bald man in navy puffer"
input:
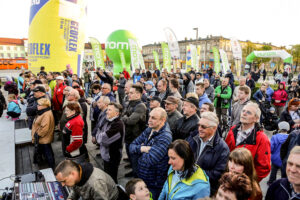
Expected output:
(134, 118)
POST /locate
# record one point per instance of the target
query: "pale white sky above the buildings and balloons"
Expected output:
(271, 21)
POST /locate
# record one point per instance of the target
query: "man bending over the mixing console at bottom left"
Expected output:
(86, 181)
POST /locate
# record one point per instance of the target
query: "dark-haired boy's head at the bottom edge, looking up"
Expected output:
(136, 189)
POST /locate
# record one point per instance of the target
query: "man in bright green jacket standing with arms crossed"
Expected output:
(222, 101)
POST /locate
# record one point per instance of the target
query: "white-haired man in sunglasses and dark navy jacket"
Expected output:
(210, 151)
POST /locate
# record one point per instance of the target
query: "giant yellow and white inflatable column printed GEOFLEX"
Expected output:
(56, 35)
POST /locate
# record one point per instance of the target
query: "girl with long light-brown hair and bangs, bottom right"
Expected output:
(241, 161)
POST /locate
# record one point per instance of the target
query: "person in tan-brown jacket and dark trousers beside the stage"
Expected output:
(43, 127)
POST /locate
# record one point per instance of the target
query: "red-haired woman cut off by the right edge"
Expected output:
(292, 114)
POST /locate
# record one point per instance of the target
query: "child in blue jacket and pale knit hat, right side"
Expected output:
(276, 142)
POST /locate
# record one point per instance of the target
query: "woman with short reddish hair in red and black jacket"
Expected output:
(72, 142)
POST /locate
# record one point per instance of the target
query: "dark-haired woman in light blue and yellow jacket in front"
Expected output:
(185, 179)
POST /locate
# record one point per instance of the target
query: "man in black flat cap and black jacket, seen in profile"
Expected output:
(188, 123)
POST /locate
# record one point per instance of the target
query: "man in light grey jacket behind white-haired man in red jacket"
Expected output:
(242, 100)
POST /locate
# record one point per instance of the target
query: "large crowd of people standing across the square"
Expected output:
(192, 135)
